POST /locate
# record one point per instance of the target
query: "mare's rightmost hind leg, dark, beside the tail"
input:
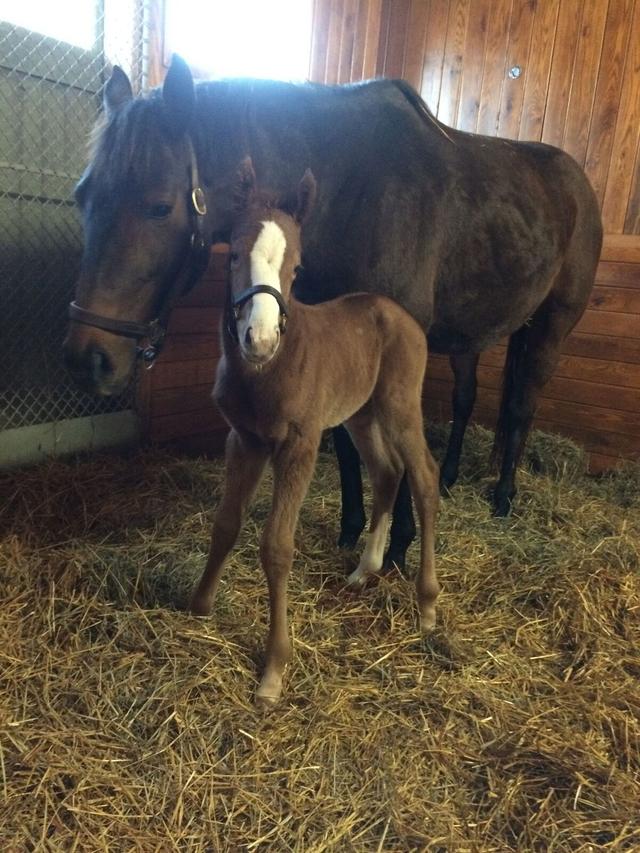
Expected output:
(532, 356)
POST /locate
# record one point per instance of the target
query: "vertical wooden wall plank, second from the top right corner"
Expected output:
(607, 95)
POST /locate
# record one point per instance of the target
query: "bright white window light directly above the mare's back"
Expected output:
(242, 38)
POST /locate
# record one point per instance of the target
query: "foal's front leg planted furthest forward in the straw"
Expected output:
(292, 469)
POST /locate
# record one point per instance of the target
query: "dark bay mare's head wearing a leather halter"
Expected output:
(144, 221)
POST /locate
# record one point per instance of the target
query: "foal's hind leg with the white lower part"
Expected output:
(385, 472)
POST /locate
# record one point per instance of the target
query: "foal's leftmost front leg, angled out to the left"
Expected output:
(244, 464)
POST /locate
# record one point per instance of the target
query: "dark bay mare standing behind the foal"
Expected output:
(478, 238)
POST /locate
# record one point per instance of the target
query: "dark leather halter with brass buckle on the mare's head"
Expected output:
(198, 258)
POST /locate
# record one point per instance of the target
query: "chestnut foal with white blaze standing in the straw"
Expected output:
(359, 359)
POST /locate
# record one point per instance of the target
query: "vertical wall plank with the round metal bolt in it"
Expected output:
(518, 49)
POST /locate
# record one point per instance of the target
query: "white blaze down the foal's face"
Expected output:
(267, 256)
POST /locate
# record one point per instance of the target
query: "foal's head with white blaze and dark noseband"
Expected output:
(265, 250)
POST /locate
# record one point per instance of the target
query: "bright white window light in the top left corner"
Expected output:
(65, 20)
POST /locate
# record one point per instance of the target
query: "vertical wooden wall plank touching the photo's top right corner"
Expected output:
(626, 137)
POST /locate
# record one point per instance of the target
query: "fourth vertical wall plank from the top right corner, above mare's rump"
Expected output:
(560, 77)
